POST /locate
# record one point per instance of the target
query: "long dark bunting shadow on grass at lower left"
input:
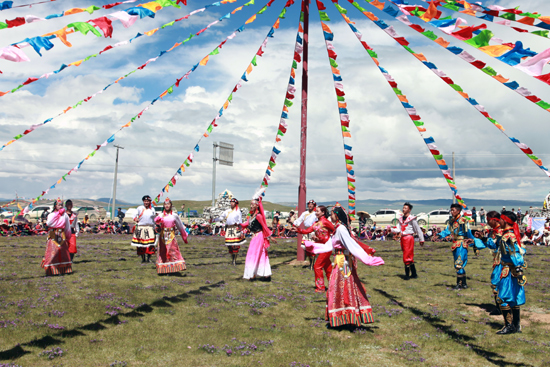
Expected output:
(46, 341)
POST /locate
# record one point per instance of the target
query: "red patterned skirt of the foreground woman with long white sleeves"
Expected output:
(347, 301)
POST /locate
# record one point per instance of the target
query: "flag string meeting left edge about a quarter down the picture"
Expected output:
(149, 33)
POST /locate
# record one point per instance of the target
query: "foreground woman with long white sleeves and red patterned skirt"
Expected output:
(347, 301)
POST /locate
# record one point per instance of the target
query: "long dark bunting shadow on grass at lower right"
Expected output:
(457, 337)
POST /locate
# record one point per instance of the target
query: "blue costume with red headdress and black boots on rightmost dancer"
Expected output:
(510, 289)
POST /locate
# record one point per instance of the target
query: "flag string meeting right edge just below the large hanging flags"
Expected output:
(478, 64)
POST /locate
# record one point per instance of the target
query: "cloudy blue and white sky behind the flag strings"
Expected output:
(391, 159)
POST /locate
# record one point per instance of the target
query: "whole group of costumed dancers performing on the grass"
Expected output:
(325, 234)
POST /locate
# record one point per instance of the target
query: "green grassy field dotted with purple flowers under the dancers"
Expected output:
(113, 311)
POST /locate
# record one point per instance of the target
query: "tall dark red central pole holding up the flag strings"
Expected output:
(302, 190)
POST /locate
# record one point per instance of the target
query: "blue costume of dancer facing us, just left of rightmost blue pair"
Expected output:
(459, 229)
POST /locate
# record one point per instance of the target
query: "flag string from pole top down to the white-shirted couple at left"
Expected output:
(187, 162)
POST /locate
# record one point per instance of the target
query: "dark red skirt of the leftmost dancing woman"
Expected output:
(57, 259)
